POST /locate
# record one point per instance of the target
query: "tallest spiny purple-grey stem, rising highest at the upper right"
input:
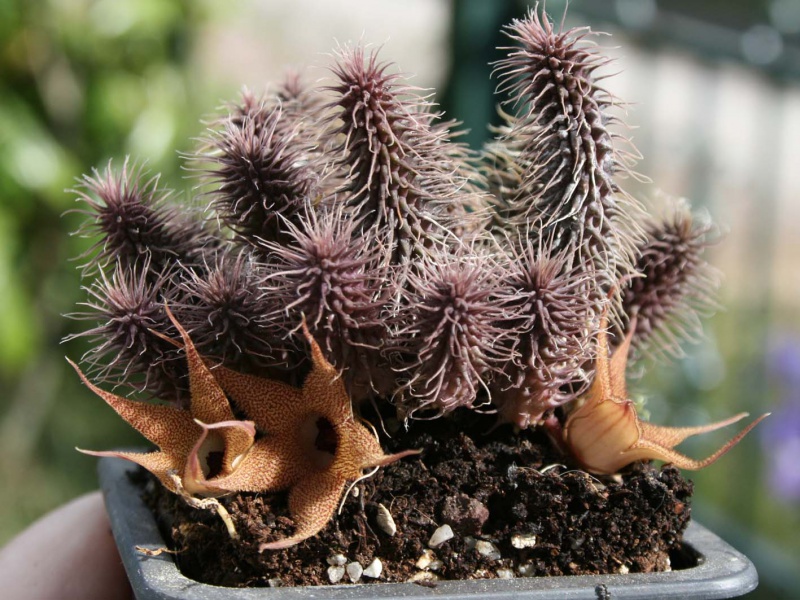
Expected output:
(557, 157)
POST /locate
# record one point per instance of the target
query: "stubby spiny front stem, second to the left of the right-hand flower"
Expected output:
(451, 330)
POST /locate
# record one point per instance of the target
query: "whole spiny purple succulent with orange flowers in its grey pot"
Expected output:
(368, 355)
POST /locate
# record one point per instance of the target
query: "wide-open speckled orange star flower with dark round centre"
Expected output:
(314, 443)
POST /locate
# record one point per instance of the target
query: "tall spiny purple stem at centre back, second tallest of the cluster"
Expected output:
(406, 181)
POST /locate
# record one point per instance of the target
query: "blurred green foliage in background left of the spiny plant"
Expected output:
(83, 82)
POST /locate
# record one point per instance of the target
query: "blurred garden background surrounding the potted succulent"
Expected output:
(714, 106)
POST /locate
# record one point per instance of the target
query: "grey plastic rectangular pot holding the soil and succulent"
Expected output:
(722, 572)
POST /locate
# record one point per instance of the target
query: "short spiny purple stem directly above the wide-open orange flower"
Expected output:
(327, 276)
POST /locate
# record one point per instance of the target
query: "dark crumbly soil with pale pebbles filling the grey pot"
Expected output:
(509, 489)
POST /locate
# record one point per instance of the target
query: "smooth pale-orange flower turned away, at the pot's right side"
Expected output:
(604, 432)
